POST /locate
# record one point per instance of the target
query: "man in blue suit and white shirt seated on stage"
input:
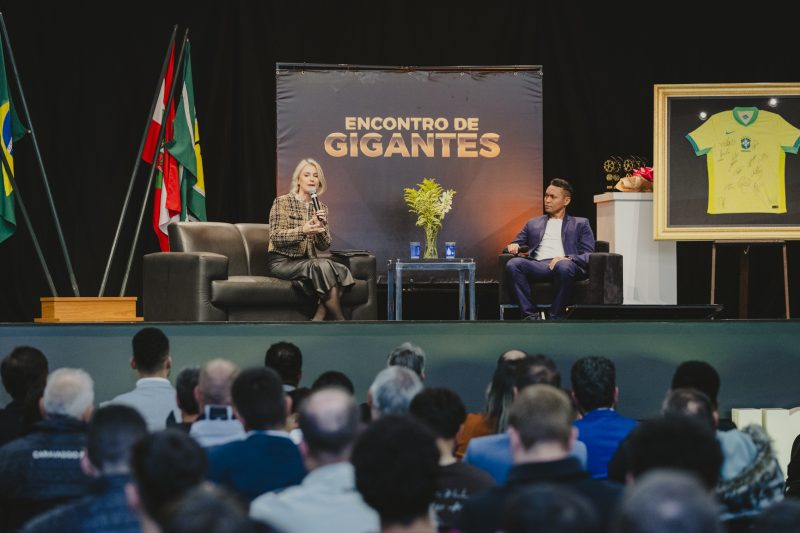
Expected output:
(559, 251)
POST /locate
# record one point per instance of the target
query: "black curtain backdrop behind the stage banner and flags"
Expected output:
(89, 71)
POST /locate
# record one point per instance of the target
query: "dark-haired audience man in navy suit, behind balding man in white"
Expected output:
(267, 459)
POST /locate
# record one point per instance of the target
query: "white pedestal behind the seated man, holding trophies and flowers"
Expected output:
(625, 220)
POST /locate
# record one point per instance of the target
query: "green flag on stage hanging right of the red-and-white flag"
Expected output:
(185, 147)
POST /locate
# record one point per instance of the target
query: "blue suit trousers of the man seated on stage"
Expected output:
(523, 271)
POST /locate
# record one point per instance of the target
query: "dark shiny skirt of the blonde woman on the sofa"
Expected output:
(317, 275)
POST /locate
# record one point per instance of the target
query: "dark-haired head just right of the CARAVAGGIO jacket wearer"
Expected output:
(113, 430)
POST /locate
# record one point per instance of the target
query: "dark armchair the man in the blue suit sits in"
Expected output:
(602, 287)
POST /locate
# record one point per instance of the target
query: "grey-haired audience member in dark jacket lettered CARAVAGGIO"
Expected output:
(42, 469)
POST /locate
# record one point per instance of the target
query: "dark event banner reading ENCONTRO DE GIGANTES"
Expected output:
(378, 131)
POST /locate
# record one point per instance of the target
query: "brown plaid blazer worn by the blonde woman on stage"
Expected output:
(286, 220)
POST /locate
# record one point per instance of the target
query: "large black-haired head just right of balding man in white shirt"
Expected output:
(396, 462)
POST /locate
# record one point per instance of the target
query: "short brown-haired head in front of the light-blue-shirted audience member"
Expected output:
(542, 414)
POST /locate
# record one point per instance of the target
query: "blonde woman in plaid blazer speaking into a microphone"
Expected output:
(297, 231)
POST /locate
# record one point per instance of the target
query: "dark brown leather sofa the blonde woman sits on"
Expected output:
(218, 272)
